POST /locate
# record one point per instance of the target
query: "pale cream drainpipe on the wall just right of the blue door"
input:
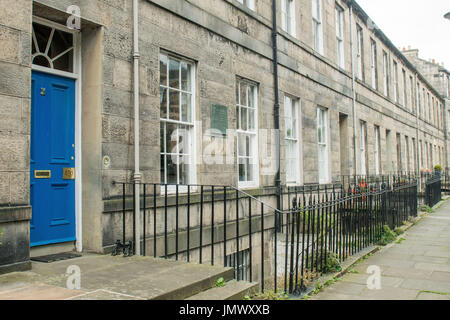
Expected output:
(137, 174)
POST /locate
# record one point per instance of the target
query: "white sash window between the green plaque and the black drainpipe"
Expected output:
(247, 132)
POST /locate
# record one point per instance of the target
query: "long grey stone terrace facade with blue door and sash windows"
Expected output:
(210, 92)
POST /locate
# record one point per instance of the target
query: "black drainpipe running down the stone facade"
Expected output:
(277, 101)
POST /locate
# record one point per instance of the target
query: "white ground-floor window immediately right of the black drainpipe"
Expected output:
(292, 139)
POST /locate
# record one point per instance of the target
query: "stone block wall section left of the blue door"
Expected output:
(15, 84)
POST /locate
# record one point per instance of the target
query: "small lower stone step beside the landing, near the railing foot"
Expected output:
(233, 290)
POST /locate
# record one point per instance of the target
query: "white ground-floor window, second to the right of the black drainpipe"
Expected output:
(323, 146)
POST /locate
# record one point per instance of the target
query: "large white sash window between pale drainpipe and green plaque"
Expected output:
(188, 133)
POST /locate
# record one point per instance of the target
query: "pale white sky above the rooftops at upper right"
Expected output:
(416, 23)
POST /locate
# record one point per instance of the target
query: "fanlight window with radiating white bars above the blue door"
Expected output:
(52, 48)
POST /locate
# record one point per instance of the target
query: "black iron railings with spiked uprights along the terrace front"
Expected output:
(280, 249)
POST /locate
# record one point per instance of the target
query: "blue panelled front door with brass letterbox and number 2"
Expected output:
(52, 159)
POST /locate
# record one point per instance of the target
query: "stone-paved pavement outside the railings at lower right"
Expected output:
(416, 268)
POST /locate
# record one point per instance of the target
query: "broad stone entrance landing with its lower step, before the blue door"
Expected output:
(118, 278)
